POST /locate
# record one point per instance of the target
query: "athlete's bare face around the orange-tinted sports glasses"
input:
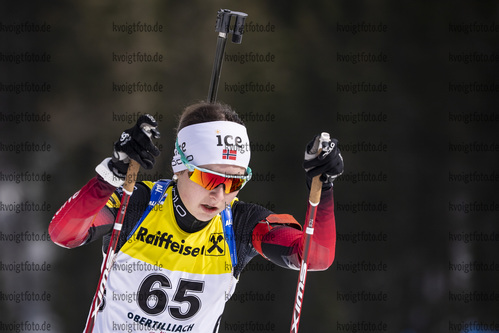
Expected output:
(202, 203)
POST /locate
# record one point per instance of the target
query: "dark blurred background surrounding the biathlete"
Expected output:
(417, 207)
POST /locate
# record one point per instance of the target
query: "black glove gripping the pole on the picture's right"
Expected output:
(328, 164)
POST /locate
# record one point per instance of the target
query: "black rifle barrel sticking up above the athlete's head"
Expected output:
(222, 26)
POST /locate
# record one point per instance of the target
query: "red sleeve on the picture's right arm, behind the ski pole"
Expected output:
(279, 238)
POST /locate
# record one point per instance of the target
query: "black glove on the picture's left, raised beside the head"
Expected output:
(135, 143)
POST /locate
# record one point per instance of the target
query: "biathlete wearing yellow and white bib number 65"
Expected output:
(177, 260)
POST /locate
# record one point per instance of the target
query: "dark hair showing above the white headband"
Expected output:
(203, 112)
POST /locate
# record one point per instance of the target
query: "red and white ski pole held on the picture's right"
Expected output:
(313, 202)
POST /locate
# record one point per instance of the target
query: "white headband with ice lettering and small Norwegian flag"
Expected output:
(214, 142)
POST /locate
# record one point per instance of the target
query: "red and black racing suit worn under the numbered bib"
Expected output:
(85, 217)
